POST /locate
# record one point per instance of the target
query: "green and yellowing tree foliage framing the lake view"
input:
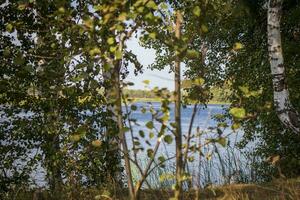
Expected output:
(63, 70)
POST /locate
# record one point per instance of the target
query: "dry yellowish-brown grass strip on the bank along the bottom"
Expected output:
(278, 189)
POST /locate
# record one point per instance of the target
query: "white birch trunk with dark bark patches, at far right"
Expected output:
(286, 113)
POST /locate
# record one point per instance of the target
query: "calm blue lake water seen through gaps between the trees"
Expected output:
(203, 168)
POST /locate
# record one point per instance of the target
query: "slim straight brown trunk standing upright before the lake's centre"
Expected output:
(177, 97)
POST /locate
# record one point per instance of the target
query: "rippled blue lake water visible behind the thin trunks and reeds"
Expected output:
(215, 164)
